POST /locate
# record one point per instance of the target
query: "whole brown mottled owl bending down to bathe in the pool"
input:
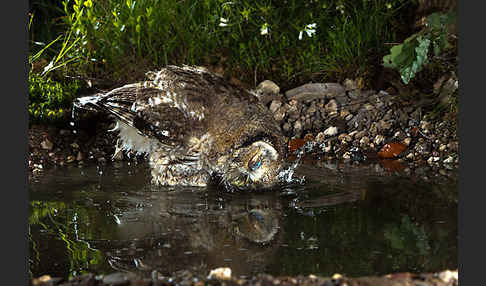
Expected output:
(195, 128)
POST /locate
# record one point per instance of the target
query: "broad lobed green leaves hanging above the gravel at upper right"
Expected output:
(410, 56)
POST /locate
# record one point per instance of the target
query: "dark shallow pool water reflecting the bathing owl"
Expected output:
(351, 220)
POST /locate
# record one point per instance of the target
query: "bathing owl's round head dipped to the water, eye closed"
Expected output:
(254, 166)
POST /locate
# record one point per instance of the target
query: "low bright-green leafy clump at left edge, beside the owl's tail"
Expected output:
(48, 99)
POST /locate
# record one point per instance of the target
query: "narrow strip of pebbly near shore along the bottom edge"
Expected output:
(444, 278)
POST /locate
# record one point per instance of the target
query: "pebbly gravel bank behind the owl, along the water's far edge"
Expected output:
(345, 123)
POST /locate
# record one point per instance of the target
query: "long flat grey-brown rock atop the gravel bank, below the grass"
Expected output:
(313, 91)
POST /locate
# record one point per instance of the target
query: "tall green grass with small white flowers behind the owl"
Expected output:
(287, 41)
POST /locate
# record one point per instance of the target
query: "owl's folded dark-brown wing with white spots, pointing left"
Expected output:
(150, 111)
